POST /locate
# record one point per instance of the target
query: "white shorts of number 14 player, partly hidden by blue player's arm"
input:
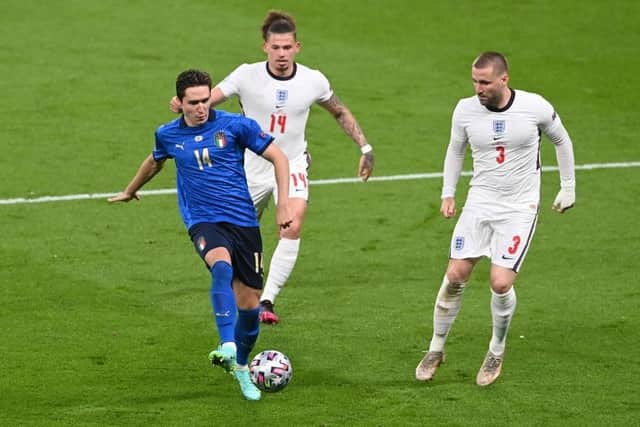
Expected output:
(262, 188)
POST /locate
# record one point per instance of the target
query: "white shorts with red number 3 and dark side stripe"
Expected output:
(503, 236)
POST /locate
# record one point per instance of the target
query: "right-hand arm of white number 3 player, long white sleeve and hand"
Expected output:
(557, 133)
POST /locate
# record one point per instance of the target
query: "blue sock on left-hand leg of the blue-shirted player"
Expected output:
(223, 300)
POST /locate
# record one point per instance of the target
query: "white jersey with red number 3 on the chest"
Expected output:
(505, 146)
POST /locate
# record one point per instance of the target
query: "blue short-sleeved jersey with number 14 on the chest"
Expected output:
(210, 177)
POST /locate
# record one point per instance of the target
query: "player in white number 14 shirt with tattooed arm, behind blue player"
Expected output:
(278, 93)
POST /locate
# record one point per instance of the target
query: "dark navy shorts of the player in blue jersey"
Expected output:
(243, 243)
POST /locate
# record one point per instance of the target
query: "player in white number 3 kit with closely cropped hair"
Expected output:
(502, 125)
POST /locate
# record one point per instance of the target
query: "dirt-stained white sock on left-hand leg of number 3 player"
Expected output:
(448, 303)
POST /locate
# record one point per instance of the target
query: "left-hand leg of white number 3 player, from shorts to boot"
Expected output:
(446, 308)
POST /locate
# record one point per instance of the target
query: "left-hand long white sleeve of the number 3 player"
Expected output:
(454, 159)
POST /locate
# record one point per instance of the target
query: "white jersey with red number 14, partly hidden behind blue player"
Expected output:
(279, 105)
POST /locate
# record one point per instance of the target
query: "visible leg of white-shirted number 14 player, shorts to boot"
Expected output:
(286, 253)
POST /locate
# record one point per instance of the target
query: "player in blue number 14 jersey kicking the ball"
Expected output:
(208, 149)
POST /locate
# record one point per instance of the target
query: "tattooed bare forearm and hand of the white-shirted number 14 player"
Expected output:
(350, 126)
